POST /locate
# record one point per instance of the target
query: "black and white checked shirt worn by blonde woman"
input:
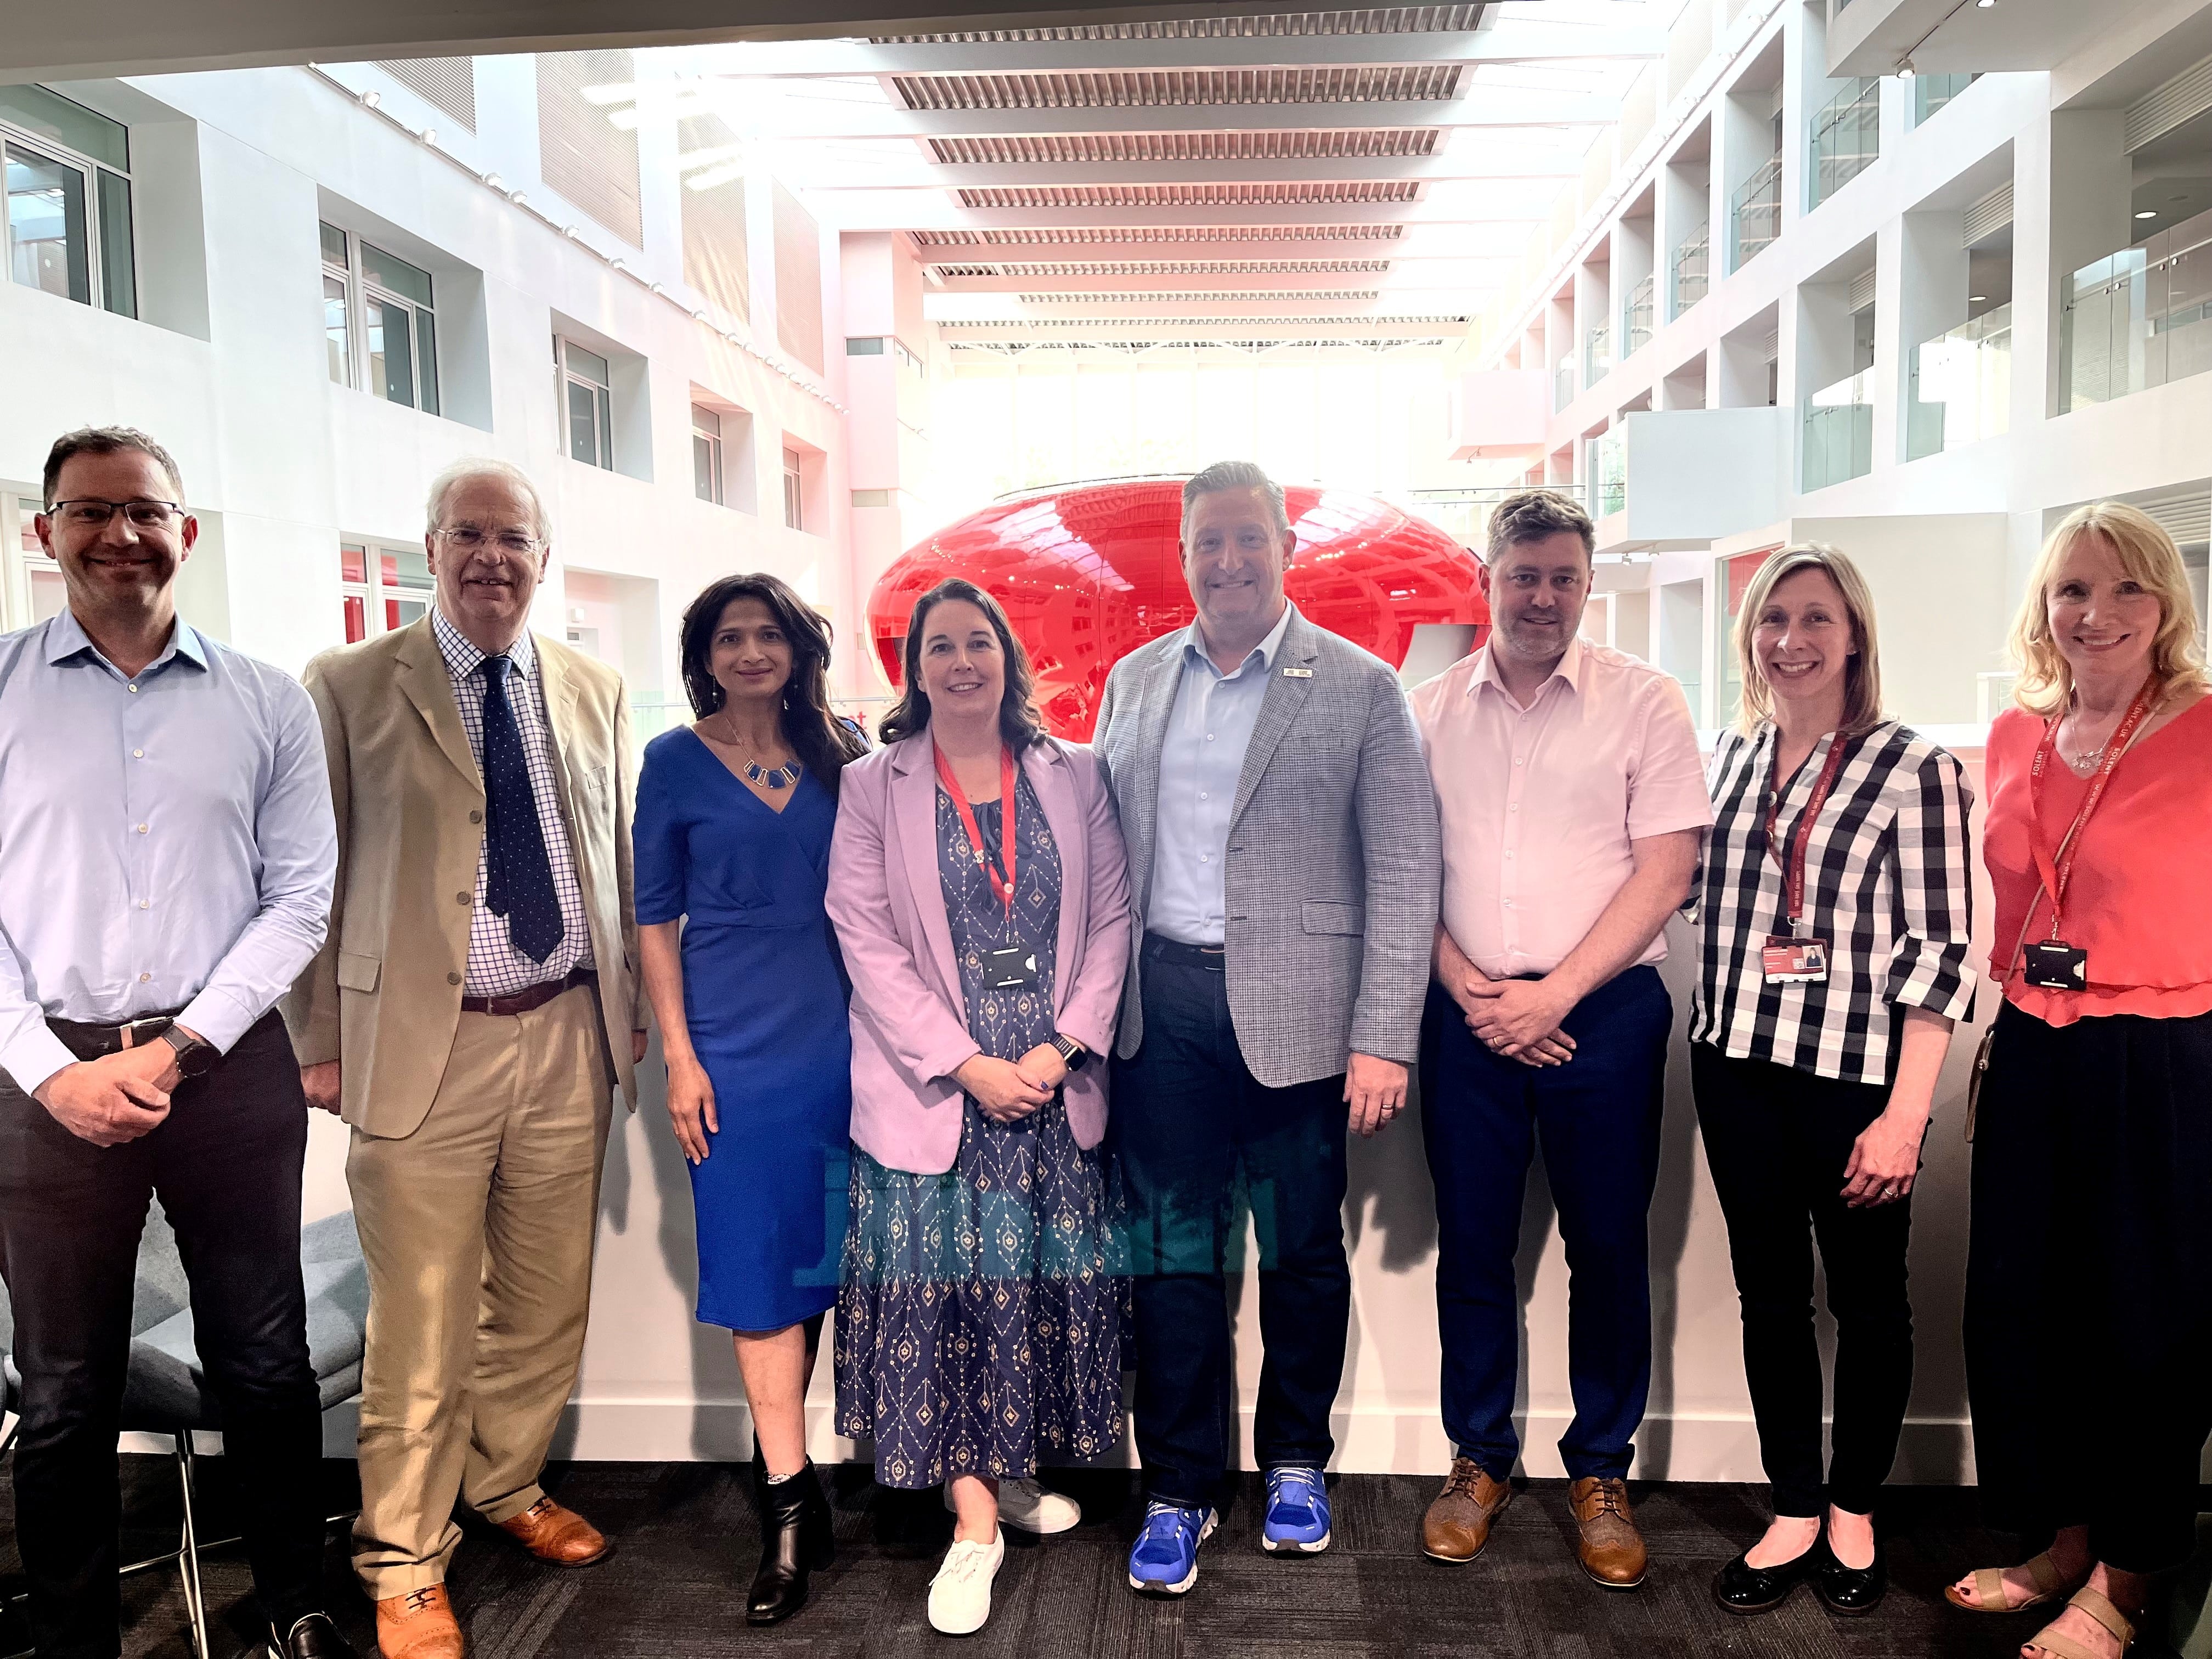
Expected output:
(1888, 884)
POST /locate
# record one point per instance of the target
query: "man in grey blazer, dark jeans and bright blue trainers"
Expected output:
(1284, 868)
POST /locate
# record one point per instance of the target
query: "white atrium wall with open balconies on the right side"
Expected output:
(1948, 536)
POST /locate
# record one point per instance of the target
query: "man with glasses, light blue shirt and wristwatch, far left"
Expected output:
(167, 859)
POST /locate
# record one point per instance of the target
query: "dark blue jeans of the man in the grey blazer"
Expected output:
(1196, 1140)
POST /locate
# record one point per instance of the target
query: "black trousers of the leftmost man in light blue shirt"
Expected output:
(227, 1167)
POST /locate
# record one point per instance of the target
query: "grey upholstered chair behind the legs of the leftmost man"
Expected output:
(167, 1390)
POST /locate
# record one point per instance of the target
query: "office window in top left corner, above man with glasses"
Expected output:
(67, 200)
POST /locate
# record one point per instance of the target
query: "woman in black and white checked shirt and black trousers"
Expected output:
(1833, 966)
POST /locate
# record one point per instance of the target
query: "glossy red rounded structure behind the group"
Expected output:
(1092, 572)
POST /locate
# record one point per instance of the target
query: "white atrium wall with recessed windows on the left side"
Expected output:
(284, 466)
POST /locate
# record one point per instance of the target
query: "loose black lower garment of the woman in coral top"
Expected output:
(2089, 1282)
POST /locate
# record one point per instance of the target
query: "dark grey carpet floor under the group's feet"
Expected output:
(687, 1543)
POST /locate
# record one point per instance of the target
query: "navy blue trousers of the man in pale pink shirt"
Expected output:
(1598, 1118)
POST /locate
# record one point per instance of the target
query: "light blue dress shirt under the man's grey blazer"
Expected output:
(1200, 762)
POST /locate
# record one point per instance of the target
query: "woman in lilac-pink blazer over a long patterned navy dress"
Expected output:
(981, 897)
